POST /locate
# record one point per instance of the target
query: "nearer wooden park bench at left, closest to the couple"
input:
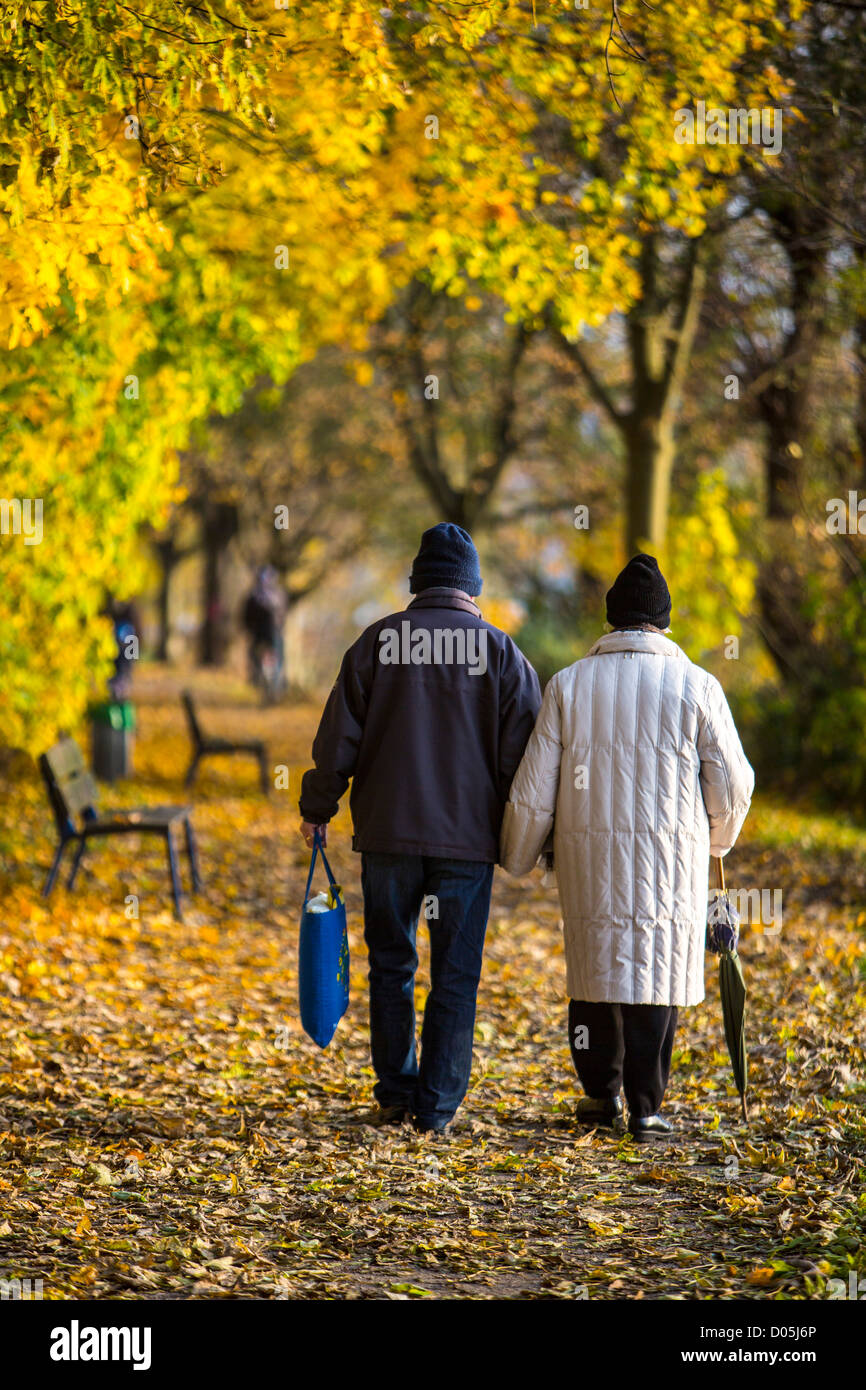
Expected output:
(76, 804)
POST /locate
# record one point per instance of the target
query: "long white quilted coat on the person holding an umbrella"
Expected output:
(639, 768)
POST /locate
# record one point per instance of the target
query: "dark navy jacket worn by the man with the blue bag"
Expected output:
(432, 744)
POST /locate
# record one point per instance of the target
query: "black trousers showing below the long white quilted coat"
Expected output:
(625, 1046)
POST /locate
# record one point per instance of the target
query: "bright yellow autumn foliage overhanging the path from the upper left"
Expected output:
(198, 195)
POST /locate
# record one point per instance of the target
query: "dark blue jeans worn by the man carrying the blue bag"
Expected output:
(395, 892)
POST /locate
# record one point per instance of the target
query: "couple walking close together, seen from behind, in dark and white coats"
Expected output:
(632, 762)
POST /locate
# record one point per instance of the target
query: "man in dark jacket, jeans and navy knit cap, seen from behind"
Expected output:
(430, 717)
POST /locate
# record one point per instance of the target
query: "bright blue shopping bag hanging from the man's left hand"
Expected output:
(323, 958)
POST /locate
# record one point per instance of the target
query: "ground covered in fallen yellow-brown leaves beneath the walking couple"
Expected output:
(169, 1132)
